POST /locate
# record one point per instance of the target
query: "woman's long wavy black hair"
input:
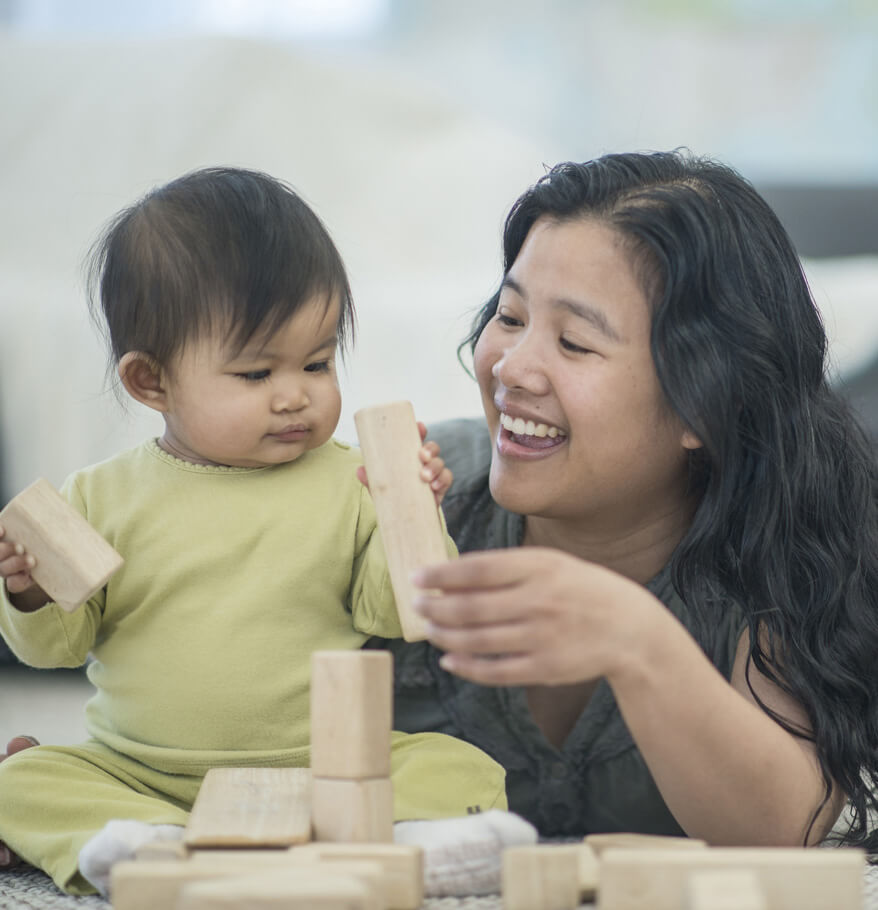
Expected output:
(787, 523)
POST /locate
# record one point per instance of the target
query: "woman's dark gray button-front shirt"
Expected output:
(598, 781)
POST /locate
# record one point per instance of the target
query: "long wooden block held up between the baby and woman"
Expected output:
(405, 507)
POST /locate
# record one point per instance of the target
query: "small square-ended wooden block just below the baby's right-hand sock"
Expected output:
(541, 877)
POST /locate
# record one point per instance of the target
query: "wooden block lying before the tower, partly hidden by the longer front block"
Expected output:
(403, 866)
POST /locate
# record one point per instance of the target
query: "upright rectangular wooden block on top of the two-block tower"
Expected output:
(351, 713)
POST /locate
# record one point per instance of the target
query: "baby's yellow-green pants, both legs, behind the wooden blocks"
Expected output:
(53, 799)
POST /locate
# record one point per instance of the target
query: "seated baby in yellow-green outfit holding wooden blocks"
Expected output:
(248, 541)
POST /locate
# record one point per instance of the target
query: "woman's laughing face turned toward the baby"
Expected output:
(581, 429)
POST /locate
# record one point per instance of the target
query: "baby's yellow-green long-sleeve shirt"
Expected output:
(201, 642)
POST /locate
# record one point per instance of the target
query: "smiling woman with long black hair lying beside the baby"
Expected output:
(685, 642)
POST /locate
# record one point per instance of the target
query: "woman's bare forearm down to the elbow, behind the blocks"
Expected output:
(726, 770)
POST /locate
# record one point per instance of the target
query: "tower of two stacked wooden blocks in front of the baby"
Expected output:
(351, 718)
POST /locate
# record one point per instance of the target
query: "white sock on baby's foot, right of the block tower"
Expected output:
(463, 856)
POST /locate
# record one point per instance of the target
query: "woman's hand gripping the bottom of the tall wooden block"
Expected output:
(533, 616)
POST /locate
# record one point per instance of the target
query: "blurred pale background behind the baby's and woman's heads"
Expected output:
(411, 126)
